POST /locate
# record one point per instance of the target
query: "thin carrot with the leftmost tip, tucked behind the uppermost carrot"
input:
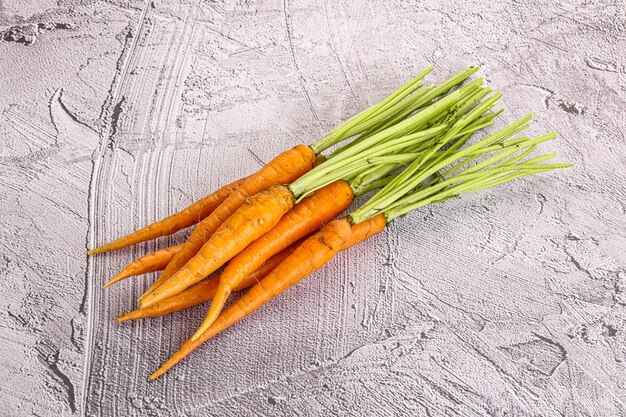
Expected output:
(188, 216)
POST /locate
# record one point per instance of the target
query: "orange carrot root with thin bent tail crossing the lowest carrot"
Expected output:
(305, 218)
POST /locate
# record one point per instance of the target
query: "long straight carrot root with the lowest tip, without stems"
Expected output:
(314, 252)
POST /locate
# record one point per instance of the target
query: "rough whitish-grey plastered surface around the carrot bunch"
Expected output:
(509, 301)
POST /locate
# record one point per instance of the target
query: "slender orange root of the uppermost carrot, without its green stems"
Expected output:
(284, 169)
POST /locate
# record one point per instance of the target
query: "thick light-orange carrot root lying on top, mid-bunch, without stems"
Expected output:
(252, 220)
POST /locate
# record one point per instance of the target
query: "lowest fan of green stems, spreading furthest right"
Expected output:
(505, 164)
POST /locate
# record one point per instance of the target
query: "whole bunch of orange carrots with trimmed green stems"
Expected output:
(275, 227)
